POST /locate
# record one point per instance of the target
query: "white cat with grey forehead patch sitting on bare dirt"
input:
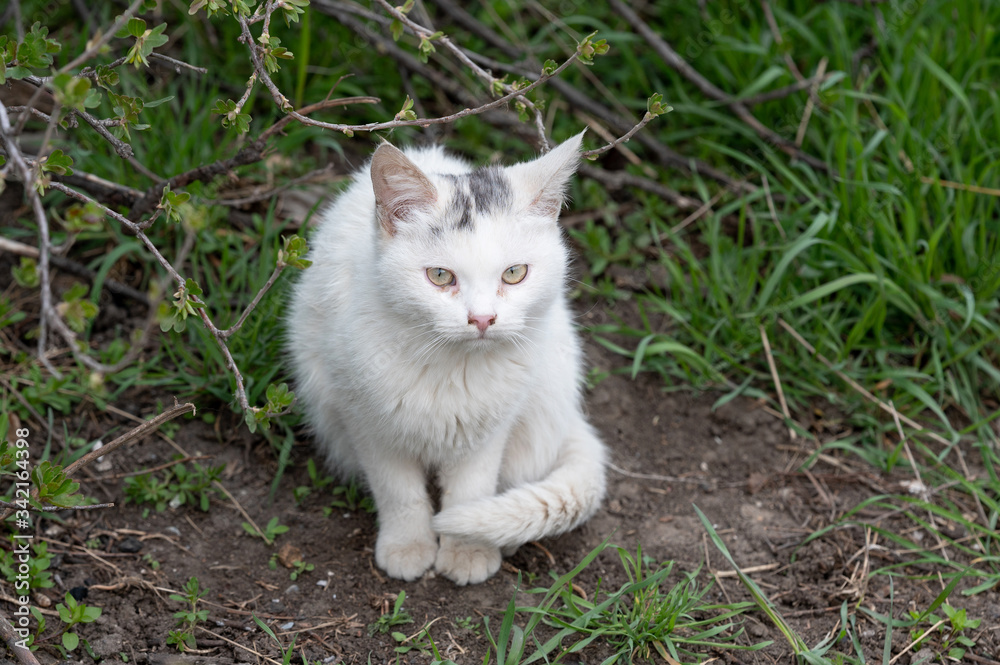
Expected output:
(432, 336)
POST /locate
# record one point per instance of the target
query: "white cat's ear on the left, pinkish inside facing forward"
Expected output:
(400, 187)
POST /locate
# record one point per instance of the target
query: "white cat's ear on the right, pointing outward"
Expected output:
(545, 179)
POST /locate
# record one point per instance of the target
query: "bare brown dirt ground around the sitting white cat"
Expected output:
(670, 450)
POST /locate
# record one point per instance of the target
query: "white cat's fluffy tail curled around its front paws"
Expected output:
(561, 501)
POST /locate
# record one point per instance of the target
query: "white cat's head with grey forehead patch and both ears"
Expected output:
(474, 256)
